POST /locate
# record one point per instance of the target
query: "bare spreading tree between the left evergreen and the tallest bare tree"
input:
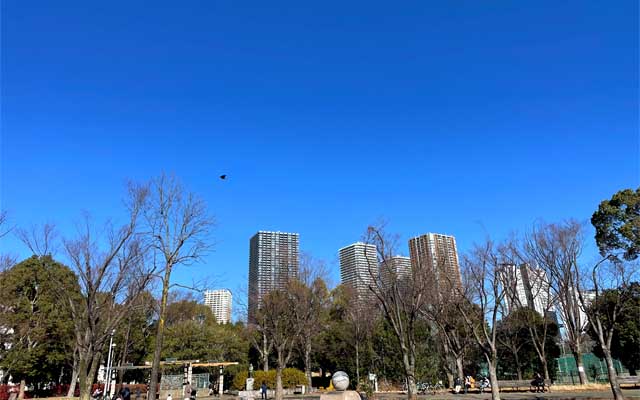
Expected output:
(112, 273)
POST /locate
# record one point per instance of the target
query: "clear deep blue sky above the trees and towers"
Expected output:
(463, 117)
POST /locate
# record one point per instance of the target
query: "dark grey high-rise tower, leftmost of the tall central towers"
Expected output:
(273, 261)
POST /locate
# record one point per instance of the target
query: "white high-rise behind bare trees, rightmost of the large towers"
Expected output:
(527, 286)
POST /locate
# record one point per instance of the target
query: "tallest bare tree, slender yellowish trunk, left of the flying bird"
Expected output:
(178, 227)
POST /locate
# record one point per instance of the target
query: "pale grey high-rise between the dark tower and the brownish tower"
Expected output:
(359, 268)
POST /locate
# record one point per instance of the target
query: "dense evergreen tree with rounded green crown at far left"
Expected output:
(36, 331)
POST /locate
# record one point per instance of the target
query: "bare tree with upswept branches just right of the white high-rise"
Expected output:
(556, 249)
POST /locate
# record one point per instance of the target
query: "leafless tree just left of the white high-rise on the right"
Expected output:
(484, 295)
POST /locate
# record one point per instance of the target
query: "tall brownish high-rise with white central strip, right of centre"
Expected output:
(437, 253)
